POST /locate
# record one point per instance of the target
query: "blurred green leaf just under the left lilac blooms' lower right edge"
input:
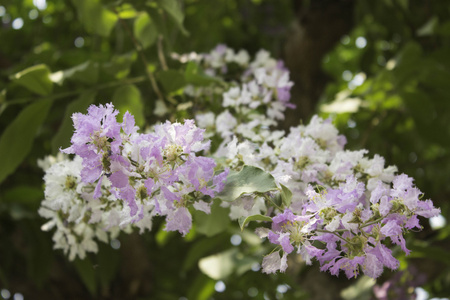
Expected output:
(216, 222)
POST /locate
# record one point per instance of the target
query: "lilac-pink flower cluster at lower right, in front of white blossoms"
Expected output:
(351, 223)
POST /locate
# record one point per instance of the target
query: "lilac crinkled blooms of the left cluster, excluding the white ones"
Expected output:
(160, 169)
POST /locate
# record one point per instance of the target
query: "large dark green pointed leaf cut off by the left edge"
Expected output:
(18, 137)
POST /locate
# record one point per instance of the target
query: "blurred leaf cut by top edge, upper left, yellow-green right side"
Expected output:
(95, 18)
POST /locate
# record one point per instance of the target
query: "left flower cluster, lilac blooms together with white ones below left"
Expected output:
(120, 177)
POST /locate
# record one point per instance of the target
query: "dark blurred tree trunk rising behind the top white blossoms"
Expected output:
(319, 25)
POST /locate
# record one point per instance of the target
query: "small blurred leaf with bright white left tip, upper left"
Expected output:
(86, 72)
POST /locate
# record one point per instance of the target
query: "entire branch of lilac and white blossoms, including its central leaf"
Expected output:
(337, 206)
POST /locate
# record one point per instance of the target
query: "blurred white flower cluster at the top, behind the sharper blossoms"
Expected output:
(257, 94)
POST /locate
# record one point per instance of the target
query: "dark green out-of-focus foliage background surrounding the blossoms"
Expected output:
(379, 69)
